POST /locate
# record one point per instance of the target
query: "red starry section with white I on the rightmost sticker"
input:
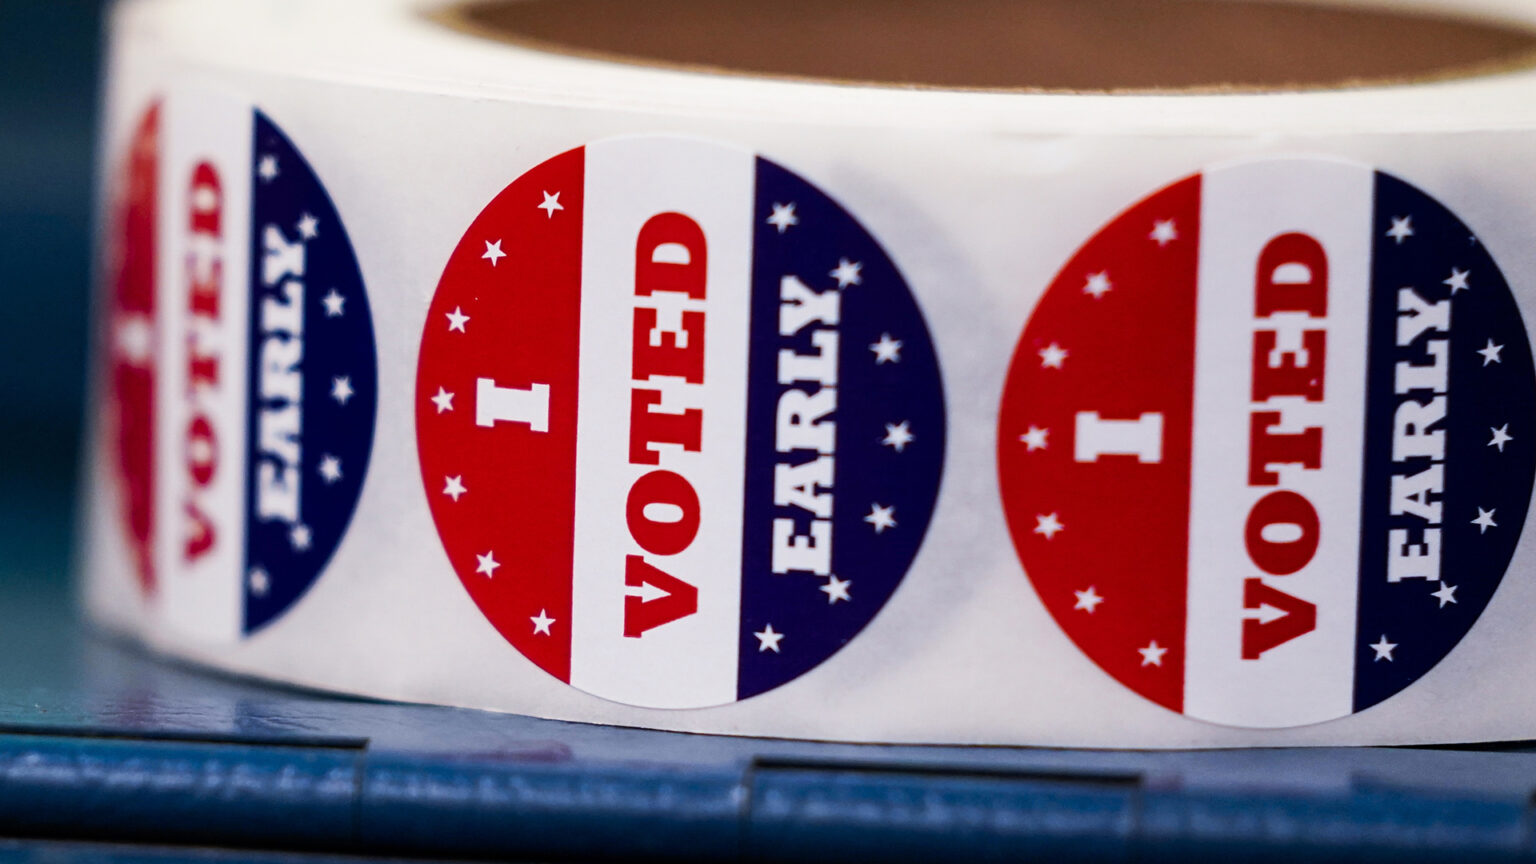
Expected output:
(1111, 351)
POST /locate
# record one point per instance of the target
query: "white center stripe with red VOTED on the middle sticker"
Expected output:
(692, 662)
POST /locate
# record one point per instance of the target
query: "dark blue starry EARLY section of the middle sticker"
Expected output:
(846, 433)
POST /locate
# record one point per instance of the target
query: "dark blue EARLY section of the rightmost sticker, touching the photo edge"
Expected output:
(1451, 440)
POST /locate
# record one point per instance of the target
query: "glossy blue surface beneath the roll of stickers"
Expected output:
(108, 753)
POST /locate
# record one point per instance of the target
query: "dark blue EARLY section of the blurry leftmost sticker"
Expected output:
(314, 380)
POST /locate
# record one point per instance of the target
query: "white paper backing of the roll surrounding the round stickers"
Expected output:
(978, 198)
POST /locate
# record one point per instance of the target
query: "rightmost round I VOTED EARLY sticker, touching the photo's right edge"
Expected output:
(1266, 445)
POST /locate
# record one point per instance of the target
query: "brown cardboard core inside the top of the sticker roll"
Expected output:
(1051, 45)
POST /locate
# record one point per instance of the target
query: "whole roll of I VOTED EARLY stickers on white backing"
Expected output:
(1061, 374)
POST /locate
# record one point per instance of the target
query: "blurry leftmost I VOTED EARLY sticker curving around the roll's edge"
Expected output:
(242, 367)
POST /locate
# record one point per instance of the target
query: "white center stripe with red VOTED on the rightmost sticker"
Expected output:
(1328, 204)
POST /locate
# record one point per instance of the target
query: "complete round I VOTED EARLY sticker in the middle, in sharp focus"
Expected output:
(680, 422)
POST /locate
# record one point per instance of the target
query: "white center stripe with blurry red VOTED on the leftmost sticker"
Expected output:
(208, 150)
